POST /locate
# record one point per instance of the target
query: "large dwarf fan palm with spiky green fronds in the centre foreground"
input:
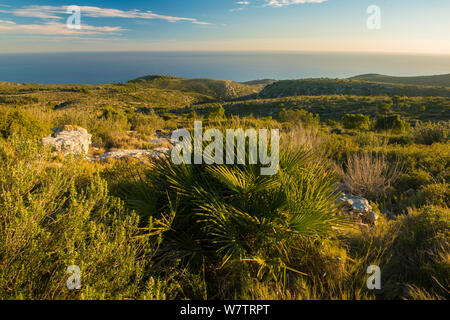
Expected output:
(233, 215)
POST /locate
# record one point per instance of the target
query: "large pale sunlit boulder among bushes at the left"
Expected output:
(69, 140)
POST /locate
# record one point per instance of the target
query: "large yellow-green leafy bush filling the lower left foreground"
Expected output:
(57, 215)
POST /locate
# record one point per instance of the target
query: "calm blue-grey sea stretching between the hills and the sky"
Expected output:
(110, 67)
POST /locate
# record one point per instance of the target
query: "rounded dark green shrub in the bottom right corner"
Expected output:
(418, 255)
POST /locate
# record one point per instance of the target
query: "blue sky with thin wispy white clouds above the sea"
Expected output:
(406, 26)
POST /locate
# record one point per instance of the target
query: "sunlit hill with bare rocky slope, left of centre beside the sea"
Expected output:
(215, 89)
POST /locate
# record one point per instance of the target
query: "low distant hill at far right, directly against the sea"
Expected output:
(438, 80)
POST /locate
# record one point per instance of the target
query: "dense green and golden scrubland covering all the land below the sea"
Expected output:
(142, 230)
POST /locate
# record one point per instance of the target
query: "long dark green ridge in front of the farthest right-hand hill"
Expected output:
(315, 87)
